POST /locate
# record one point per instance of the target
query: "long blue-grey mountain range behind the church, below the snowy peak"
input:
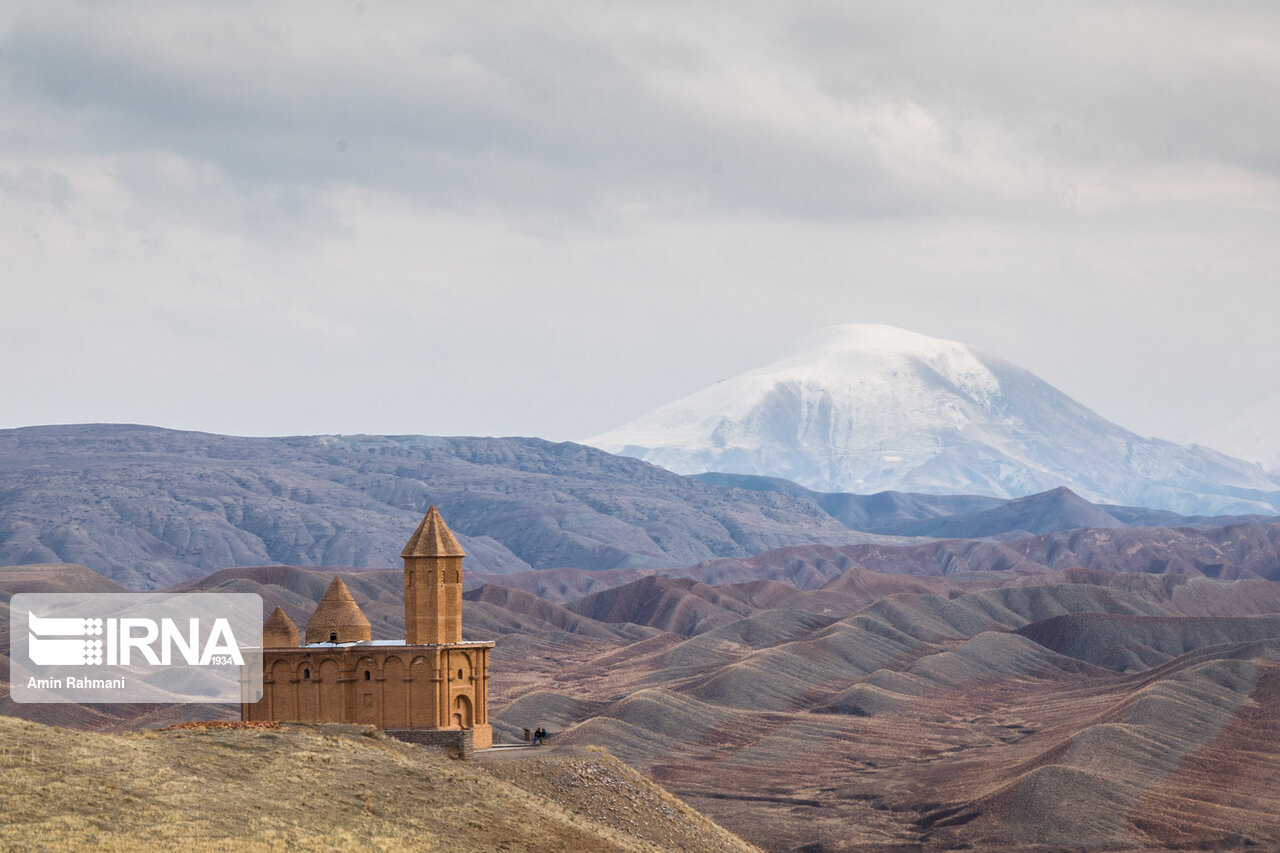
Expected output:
(152, 508)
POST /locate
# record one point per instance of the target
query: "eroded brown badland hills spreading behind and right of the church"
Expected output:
(1078, 709)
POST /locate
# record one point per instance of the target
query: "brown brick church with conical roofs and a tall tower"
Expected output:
(422, 688)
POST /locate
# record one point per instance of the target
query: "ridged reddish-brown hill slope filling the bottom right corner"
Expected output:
(1103, 781)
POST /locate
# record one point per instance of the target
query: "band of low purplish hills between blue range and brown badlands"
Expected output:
(1123, 559)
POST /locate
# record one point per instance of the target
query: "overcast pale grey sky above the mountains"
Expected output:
(546, 220)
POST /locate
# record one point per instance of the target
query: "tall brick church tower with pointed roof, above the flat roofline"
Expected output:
(433, 583)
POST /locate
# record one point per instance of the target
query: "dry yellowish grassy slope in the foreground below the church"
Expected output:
(323, 788)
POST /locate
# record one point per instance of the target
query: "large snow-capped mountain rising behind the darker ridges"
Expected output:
(874, 408)
